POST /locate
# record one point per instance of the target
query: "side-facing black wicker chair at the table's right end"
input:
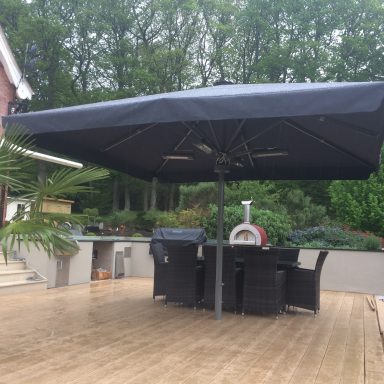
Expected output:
(303, 286)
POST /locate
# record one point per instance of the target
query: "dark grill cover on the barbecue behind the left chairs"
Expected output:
(179, 236)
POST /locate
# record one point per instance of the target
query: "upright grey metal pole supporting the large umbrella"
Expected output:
(219, 247)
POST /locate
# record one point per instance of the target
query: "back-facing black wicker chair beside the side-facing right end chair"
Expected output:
(264, 285)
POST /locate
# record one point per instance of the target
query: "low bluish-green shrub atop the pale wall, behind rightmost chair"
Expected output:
(326, 237)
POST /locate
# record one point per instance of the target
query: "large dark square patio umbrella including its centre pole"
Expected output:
(262, 131)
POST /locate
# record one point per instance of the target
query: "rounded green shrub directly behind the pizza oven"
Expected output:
(276, 225)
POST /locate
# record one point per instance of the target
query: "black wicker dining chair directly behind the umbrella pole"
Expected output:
(232, 278)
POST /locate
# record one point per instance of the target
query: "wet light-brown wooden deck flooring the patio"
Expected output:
(112, 332)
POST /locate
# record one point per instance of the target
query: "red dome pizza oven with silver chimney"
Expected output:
(247, 233)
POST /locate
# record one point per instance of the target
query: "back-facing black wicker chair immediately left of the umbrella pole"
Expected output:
(185, 282)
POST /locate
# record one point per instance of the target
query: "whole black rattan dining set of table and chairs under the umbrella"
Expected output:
(255, 280)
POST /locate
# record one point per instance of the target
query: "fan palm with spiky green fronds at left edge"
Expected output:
(33, 226)
